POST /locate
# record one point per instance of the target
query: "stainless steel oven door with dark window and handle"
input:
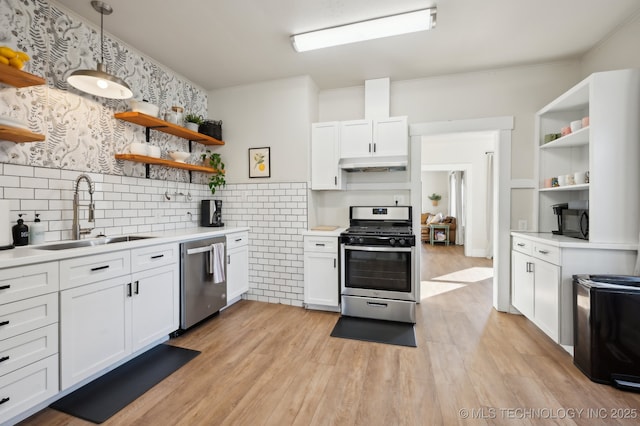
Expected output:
(383, 272)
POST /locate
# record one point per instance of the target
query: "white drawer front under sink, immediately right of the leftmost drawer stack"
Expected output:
(85, 270)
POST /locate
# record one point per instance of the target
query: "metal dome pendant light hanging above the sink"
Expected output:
(99, 82)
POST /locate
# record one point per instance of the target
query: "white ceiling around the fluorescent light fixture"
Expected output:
(224, 43)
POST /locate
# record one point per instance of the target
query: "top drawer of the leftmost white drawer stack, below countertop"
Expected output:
(23, 282)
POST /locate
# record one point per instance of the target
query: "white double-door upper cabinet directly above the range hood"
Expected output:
(380, 137)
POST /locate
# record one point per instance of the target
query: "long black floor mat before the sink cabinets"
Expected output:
(105, 396)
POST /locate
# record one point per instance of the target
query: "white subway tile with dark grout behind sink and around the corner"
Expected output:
(275, 213)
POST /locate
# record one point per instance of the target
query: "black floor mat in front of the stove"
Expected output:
(370, 330)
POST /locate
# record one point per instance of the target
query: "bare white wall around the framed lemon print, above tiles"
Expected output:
(276, 114)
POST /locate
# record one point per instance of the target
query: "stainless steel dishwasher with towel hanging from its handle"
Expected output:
(203, 283)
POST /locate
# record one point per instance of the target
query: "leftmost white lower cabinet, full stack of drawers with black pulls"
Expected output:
(28, 337)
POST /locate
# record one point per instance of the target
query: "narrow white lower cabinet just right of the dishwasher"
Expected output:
(237, 266)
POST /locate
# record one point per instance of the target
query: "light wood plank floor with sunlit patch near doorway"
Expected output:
(277, 365)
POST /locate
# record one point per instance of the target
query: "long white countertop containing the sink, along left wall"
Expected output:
(25, 255)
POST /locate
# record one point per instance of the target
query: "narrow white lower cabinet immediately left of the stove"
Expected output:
(321, 274)
